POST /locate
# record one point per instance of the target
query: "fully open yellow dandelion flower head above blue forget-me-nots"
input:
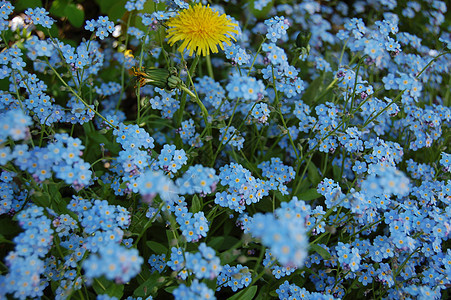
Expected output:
(201, 30)
